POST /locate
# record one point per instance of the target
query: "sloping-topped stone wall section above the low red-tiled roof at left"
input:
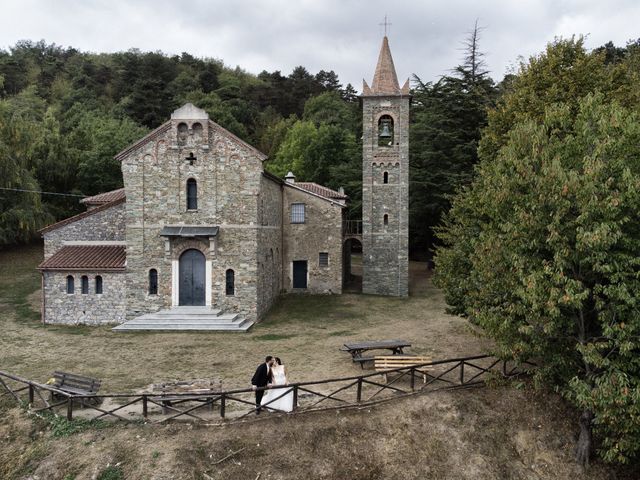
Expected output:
(107, 225)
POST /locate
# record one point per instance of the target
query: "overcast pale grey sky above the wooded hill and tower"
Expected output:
(340, 35)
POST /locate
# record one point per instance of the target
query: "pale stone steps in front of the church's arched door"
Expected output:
(178, 319)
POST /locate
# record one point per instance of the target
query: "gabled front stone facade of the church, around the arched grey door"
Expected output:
(228, 175)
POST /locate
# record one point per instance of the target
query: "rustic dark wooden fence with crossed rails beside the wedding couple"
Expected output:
(237, 404)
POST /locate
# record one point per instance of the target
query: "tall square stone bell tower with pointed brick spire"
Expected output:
(385, 181)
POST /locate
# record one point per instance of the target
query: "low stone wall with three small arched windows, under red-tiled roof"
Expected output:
(78, 308)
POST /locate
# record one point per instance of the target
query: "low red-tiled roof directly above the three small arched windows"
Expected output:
(87, 257)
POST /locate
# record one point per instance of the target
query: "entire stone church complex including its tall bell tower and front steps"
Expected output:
(201, 237)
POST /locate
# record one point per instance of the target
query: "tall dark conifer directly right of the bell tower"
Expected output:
(446, 124)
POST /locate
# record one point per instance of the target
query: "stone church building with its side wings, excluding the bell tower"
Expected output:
(198, 225)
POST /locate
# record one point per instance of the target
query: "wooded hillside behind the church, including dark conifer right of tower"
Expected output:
(64, 114)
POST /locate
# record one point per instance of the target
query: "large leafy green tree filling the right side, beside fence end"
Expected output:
(542, 249)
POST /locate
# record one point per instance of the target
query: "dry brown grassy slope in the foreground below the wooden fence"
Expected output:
(481, 434)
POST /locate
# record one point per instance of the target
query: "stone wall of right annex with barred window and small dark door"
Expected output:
(321, 232)
